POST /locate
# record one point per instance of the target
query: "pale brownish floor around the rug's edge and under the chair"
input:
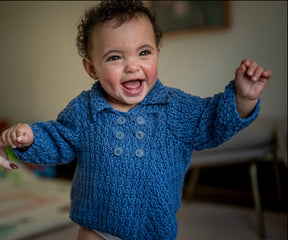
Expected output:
(202, 221)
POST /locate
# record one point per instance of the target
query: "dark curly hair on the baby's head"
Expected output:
(122, 10)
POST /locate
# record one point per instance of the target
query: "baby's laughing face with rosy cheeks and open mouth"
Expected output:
(125, 60)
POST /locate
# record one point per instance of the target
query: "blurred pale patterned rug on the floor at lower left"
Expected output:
(30, 205)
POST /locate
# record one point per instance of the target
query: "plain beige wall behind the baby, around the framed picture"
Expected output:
(41, 70)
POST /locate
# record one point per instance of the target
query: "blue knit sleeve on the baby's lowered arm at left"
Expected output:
(54, 141)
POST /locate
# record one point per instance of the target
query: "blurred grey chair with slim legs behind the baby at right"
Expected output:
(256, 143)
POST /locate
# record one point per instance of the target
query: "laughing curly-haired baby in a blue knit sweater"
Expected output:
(133, 137)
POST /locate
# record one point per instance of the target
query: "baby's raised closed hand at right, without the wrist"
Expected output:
(250, 80)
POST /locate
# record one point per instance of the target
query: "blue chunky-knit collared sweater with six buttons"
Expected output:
(131, 166)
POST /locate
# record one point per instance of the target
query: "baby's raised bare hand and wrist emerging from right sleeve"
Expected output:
(250, 80)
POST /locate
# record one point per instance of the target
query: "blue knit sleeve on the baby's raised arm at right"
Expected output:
(208, 122)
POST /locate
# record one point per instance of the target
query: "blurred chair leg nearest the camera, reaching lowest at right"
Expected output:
(257, 200)
